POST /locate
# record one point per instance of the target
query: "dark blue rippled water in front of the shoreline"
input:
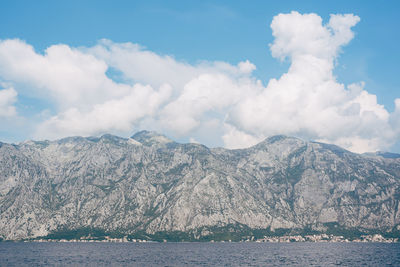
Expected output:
(199, 254)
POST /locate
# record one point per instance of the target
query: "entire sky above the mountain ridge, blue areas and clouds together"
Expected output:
(221, 73)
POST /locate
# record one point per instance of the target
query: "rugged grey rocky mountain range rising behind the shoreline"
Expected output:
(149, 185)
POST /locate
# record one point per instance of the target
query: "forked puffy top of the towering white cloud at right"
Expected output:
(303, 34)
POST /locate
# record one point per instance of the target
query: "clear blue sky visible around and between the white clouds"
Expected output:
(194, 32)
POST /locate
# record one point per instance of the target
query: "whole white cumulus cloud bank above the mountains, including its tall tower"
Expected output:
(212, 102)
